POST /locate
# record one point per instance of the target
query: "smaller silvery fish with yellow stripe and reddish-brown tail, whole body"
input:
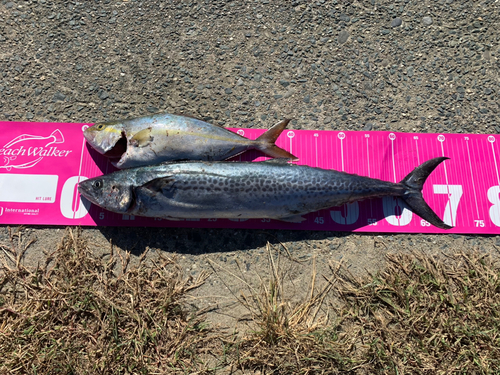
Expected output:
(165, 137)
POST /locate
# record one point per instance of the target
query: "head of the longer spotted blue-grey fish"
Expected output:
(109, 192)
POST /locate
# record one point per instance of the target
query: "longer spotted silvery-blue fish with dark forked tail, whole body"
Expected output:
(273, 190)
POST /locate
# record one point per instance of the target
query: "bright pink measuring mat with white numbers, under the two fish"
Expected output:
(42, 163)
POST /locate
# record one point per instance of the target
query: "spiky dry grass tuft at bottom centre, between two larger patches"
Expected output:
(286, 337)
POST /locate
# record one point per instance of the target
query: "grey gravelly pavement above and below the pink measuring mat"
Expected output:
(423, 66)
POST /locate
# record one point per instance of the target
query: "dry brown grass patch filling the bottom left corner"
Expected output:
(79, 314)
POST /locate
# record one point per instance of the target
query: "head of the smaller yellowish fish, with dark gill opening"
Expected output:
(107, 138)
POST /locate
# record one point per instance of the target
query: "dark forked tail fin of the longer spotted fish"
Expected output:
(412, 195)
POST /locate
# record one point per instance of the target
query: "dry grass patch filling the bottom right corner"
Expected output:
(425, 315)
